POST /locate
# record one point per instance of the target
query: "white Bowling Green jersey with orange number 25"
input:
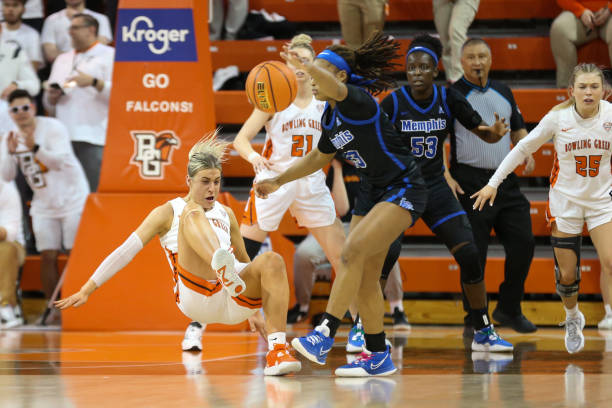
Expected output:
(583, 150)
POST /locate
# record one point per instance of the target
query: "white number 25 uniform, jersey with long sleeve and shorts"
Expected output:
(581, 178)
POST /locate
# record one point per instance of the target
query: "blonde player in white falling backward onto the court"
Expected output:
(213, 286)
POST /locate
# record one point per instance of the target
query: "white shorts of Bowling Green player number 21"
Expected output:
(308, 199)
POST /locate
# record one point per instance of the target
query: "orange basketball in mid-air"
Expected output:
(271, 86)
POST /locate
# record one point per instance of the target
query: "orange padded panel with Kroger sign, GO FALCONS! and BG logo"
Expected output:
(161, 95)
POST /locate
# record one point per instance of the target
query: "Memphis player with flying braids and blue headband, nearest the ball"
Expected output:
(391, 198)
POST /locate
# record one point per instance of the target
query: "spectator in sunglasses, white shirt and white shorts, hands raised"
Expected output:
(41, 148)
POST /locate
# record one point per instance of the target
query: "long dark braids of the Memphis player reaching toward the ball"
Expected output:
(372, 61)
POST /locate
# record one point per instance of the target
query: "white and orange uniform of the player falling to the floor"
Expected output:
(199, 299)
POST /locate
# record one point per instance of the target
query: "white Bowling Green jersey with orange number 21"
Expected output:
(292, 133)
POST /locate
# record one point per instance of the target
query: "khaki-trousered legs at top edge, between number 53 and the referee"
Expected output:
(452, 19)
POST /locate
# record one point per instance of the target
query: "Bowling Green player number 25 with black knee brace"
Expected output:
(580, 186)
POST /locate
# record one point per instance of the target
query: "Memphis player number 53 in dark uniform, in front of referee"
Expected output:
(423, 113)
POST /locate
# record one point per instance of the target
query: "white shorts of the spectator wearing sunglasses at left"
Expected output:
(51, 234)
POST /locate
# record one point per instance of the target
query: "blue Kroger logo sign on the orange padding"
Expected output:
(156, 35)
